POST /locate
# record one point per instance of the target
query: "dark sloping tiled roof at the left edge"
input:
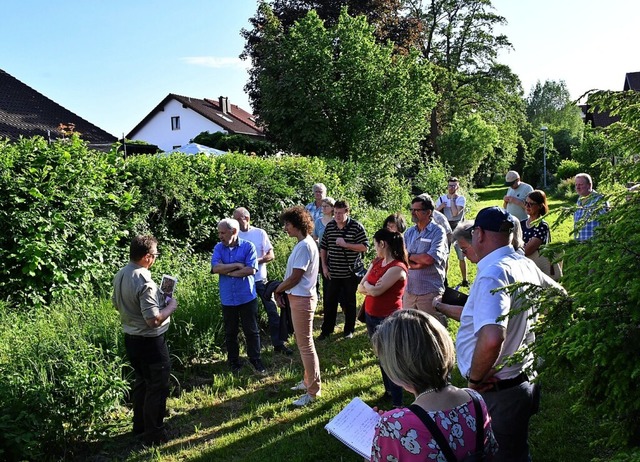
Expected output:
(26, 112)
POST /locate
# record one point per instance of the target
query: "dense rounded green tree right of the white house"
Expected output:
(336, 92)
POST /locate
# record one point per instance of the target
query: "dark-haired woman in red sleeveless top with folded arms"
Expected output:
(383, 286)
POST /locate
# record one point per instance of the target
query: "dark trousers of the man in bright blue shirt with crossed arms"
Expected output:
(232, 316)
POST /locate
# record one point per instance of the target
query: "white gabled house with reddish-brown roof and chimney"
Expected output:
(178, 119)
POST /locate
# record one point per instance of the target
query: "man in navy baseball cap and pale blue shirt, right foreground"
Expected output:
(493, 326)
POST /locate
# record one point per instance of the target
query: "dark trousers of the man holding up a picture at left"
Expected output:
(149, 357)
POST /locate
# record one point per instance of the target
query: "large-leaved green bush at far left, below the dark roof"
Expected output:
(64, 209)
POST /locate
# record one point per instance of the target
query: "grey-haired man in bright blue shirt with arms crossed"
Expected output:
(236, 262)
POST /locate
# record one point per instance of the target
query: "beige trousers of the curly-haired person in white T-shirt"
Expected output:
(302, 310)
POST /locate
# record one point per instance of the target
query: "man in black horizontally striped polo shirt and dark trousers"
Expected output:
(343, 241)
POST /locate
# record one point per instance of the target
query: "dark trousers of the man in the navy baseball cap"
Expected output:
(510, 411)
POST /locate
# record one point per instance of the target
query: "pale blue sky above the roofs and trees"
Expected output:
(112, 61)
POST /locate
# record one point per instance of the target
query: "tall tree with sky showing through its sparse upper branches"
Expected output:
(458, 38)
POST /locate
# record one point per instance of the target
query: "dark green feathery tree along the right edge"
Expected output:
(596, 339)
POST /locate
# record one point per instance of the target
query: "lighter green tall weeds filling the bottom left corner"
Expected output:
(56, 386)
